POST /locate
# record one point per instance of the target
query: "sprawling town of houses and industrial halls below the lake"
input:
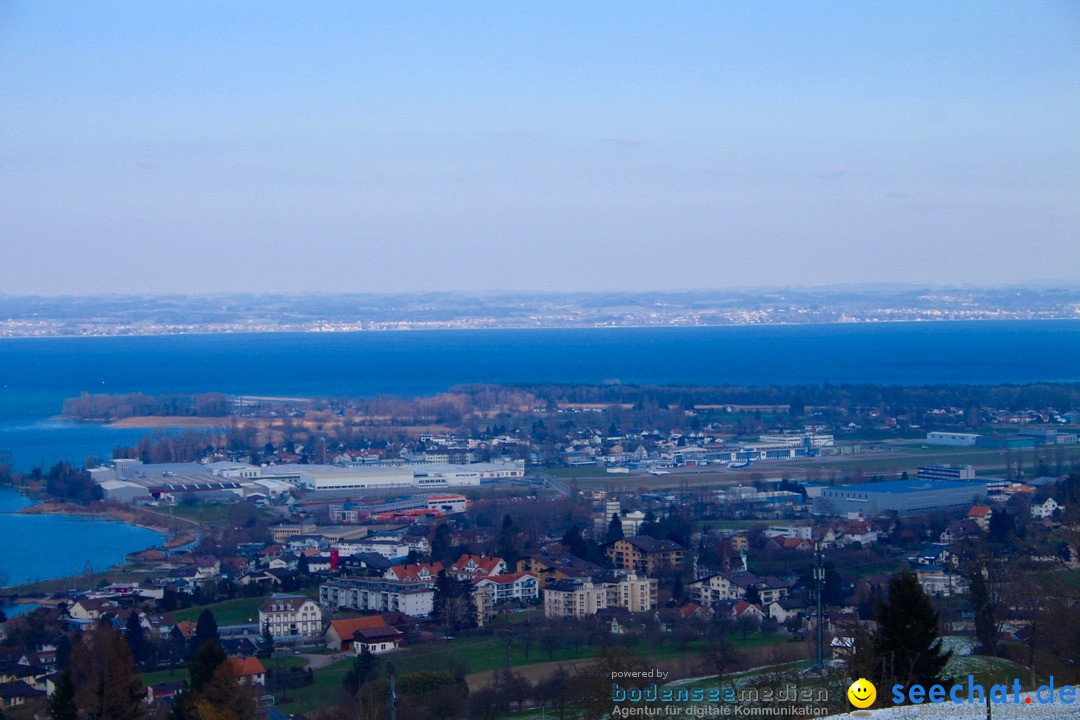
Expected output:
(375, 555)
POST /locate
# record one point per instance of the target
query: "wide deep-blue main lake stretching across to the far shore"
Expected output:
(38, 374)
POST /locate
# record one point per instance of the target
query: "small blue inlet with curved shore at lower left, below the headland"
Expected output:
(49, 547)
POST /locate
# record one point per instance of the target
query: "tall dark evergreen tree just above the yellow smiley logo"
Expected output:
(909, 642)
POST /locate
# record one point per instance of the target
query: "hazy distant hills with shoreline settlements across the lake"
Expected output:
(167, 315)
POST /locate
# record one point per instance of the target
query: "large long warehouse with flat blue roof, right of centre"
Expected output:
(900, 497)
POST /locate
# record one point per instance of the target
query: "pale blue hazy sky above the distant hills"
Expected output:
(547, 146)
